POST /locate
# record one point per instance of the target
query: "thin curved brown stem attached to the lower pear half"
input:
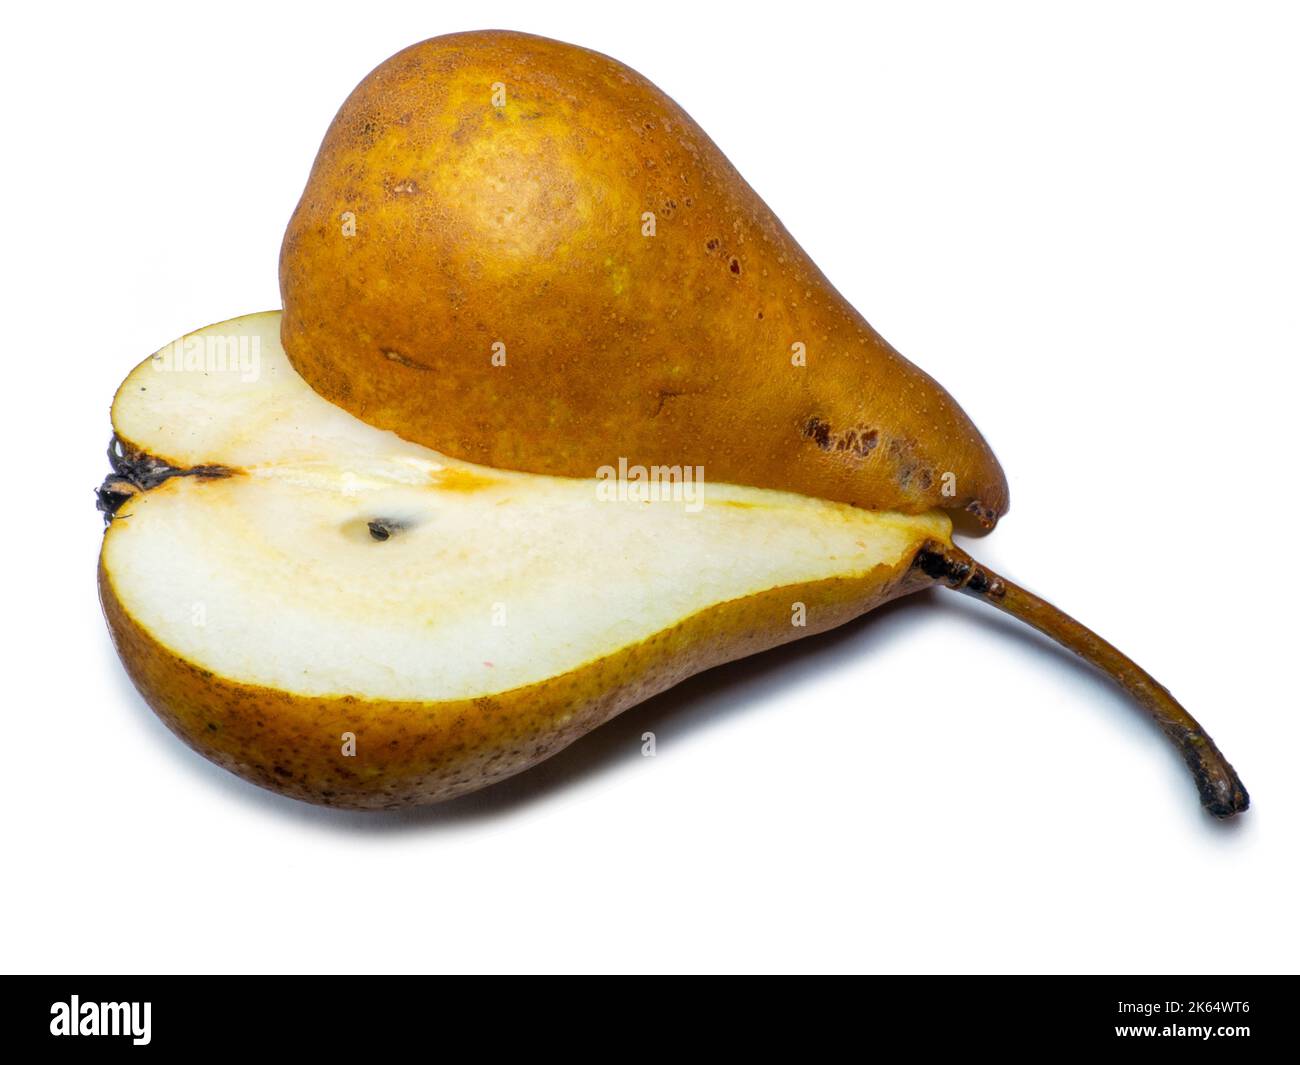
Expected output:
(1217, 782)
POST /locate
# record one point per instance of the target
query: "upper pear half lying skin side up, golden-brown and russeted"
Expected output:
(496, 194)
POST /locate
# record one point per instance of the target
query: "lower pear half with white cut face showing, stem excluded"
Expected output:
(288, 574)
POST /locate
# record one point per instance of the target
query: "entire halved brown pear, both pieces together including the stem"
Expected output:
(556, 417)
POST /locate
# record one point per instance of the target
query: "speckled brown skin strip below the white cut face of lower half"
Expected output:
(415, 754)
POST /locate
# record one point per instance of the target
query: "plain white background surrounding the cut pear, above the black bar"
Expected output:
(1085, 223)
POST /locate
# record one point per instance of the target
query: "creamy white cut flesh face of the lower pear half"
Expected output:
(484, 581)
